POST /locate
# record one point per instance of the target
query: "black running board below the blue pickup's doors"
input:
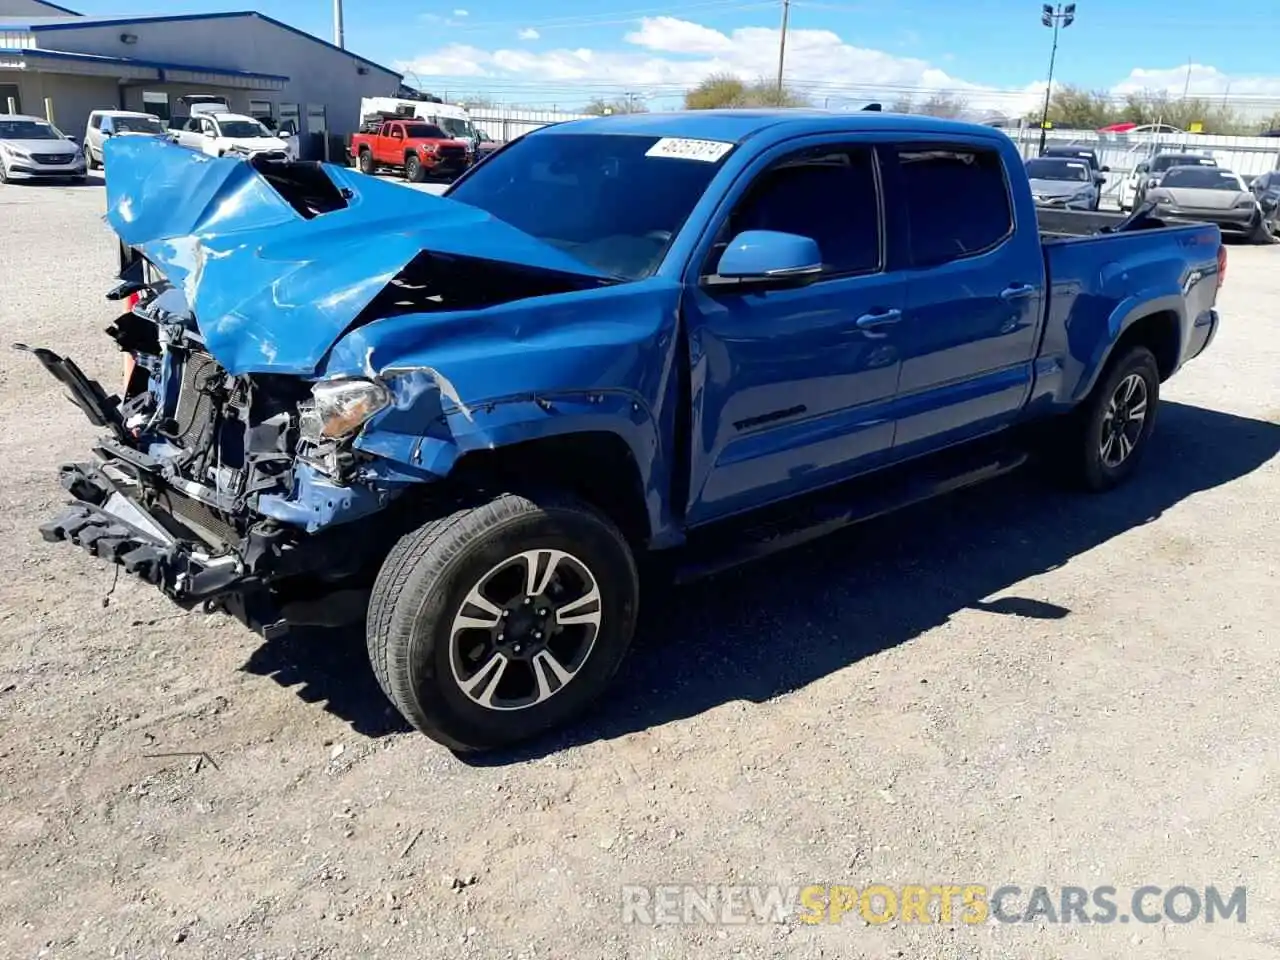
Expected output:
(735, 542)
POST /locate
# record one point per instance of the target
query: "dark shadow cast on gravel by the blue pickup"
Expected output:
(779, 625)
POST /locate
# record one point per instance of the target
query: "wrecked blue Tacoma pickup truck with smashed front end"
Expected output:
(465, 419)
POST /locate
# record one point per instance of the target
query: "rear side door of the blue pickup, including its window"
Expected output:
(967, 240)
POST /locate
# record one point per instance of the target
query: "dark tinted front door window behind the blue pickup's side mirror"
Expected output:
(829, 195)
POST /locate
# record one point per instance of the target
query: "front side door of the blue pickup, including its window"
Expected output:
(792, 387)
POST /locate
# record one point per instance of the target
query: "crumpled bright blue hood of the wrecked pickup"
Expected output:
(273, 289)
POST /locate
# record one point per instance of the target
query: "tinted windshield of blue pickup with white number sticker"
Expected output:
(600, 198)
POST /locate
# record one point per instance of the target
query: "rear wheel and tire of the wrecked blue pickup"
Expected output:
(1100, 464)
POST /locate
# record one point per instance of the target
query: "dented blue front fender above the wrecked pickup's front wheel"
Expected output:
(589, 362)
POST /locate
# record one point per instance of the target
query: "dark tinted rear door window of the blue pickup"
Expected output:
(956, 203)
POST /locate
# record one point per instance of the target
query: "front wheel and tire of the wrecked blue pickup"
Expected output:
(470, 687)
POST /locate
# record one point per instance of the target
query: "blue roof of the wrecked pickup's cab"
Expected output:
(738, 126)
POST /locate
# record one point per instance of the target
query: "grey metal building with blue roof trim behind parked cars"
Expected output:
(262, 66)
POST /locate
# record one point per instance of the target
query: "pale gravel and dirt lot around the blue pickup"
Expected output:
(1011, 687)
